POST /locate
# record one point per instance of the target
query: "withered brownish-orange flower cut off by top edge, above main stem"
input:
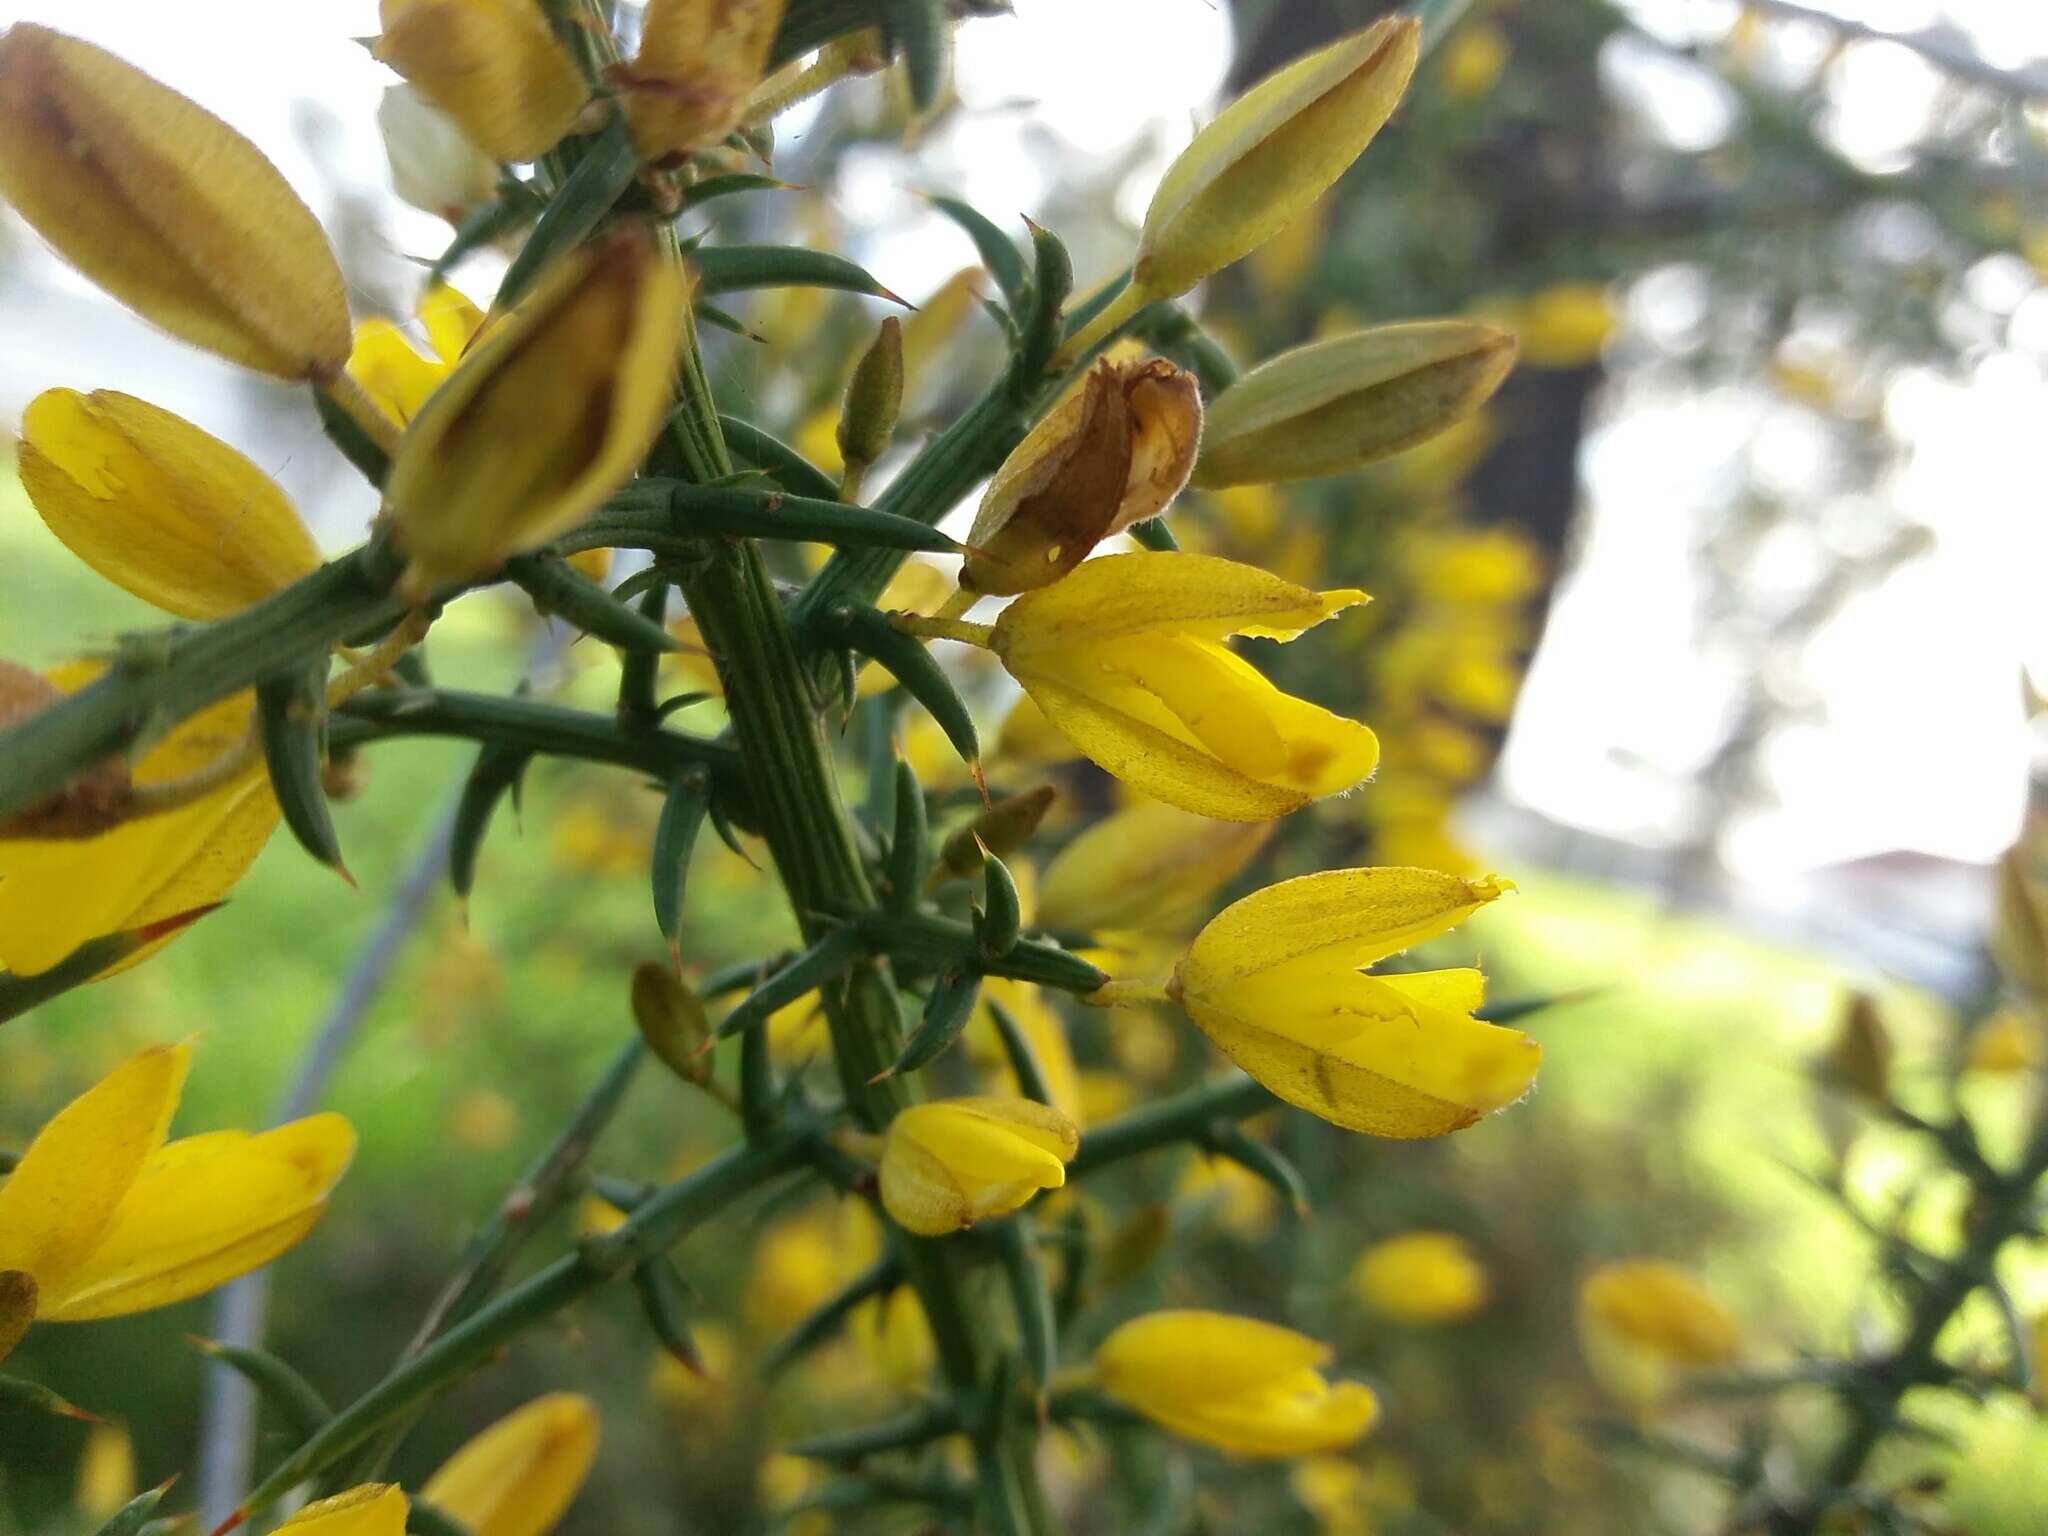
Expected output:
(697, 65)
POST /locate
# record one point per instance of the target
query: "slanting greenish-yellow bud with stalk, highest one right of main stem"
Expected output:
(1263, 163)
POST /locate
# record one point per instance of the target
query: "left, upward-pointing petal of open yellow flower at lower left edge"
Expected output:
(60, 1201)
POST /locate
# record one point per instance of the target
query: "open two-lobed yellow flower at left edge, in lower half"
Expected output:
(108, 1220)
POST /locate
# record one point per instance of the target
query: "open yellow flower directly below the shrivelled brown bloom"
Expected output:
(1127, 660)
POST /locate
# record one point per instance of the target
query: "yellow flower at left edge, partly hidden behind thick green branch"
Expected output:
(67, 892)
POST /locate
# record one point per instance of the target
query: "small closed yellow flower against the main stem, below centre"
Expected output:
(953, 1162)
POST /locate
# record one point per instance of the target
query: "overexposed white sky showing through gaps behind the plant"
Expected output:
(1918, 742)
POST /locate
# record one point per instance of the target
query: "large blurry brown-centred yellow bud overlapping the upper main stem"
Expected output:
(548, 415)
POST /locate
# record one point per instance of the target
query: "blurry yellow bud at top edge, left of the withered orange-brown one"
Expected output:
(495, 67)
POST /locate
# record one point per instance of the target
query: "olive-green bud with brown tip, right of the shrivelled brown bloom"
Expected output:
(1334, 407)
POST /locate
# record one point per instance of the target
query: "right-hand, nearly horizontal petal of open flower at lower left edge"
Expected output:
(204, 1211)
